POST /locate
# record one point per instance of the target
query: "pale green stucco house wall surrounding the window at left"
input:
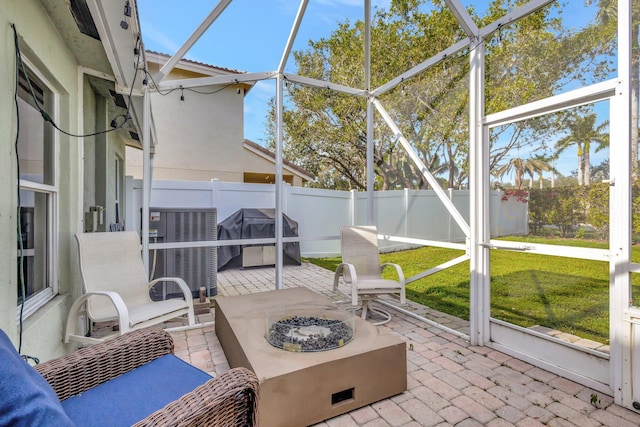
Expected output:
(43, 46)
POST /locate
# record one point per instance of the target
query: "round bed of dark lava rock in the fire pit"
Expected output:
(309, 333)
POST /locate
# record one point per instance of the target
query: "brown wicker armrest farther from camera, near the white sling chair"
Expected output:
(90, 366)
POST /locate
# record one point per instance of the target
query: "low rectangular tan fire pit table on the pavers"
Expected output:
(298, 388)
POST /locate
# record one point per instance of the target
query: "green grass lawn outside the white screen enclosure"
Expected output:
(570, 295)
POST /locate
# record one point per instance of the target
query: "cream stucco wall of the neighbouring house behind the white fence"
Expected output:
(200, 131)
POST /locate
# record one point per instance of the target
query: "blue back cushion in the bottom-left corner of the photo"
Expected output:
(26, 399)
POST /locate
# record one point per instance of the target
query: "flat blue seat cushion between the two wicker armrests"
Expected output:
(133, 396)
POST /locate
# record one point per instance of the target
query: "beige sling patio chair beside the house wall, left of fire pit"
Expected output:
(116, 287)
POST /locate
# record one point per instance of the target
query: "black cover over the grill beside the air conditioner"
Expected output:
(249, 223)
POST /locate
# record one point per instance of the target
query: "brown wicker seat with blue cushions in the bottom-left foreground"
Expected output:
(229, 399)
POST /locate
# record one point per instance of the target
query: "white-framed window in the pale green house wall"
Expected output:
(36, 150)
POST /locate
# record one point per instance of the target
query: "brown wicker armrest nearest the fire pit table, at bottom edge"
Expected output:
(230, 399)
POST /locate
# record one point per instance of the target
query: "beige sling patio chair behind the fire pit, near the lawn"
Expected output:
(362, 269)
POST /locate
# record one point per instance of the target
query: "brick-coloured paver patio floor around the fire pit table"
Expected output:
(450, 382)
